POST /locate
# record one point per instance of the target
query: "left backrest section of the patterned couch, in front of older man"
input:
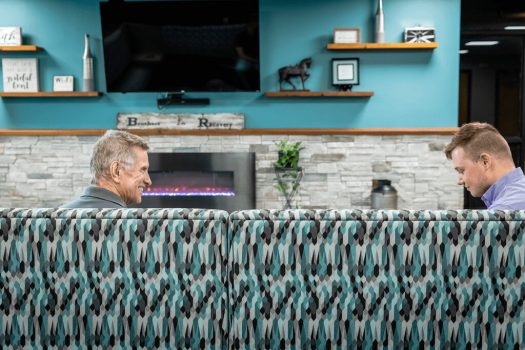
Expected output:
(121, 277)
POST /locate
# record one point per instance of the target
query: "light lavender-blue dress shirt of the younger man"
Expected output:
(508, 193)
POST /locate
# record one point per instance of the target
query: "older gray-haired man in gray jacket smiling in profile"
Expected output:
(119, 167)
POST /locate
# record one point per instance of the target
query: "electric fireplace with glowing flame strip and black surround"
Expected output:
(201, 180)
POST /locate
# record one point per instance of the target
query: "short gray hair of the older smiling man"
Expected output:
(114, 145)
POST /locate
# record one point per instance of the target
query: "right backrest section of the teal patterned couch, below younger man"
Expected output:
(349, 278)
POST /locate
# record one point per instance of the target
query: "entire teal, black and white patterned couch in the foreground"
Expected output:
(297, 279)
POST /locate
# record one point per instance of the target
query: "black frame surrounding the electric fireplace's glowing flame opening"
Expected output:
(242, 164)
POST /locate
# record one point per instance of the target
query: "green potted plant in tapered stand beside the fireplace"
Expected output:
(287, 170)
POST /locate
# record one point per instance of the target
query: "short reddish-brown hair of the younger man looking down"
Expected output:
(477, 138)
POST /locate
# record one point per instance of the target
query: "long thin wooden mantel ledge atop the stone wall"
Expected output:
(305, 132)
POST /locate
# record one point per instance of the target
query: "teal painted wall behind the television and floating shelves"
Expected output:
(412, 88)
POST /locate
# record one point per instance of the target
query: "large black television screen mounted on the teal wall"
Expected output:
(187, 45)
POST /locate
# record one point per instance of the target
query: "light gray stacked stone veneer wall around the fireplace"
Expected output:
(47, 171)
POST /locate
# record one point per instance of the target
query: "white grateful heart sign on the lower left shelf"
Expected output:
(20, 74)
